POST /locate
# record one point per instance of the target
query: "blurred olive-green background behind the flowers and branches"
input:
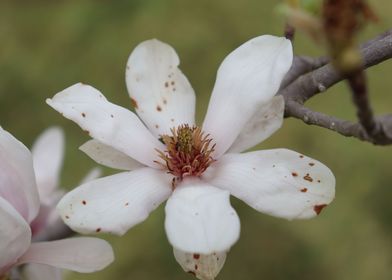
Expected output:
(46, 46)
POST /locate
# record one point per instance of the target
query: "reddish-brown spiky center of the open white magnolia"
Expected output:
(188, 152)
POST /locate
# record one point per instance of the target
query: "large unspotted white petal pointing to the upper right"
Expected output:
(248, 78)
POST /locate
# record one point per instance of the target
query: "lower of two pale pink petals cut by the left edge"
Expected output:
(15, 235)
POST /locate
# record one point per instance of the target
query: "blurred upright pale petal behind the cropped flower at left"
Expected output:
(48, 152)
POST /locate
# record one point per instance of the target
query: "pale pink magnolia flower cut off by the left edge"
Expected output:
(19, 205)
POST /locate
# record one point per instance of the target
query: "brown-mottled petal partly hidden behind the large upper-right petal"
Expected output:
(267, 119)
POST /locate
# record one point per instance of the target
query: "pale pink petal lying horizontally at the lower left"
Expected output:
(82, 254)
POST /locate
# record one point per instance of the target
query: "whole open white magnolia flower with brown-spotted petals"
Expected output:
(167, 157)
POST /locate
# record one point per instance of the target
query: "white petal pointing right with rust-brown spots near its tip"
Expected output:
(278, 182)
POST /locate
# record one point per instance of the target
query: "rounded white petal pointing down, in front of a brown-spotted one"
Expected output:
(200, 219)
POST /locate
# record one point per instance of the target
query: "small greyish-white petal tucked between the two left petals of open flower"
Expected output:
(108, 156)
